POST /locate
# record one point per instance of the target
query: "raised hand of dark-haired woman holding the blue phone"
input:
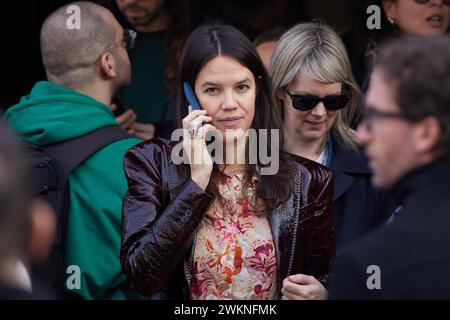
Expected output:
(194, 144)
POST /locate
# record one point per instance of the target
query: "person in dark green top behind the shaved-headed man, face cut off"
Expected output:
(162, 27)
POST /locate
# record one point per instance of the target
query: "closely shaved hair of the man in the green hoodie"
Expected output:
(69, 55)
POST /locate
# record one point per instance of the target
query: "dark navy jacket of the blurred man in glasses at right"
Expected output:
(410, 257)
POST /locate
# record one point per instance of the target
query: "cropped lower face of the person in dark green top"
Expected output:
(142, 14)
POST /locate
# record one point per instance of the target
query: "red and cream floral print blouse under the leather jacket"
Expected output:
(234, 255)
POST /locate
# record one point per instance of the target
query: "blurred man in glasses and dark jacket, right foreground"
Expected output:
(406, 134)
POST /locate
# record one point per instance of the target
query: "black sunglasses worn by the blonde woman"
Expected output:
(331, 103)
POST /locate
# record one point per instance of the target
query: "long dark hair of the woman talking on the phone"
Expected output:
(207, 42)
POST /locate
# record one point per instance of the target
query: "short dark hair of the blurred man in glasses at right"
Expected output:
(419, 68)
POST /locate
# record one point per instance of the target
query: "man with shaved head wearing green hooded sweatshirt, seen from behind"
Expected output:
(85, 68)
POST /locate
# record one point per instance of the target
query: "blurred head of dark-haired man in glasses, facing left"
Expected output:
(407, 115)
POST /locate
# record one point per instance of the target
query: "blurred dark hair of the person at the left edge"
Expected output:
(14, 198)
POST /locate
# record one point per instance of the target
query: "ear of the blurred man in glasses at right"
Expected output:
(426, 134)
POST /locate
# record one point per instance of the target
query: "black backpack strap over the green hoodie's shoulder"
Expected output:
(73, 152)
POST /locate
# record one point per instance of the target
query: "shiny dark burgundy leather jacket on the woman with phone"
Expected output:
(160, 218)
